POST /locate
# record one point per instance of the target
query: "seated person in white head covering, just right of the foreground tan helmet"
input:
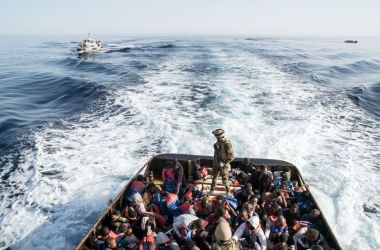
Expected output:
(251, 230)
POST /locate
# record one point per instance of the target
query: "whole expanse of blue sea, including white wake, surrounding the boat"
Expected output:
(73, 129)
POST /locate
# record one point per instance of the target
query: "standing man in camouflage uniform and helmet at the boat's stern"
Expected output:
(223, 155)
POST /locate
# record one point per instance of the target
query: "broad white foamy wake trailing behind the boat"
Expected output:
(79, 164)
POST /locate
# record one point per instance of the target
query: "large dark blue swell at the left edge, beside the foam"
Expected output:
(41, 97)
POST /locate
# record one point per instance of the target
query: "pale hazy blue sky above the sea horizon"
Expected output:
(186, 17)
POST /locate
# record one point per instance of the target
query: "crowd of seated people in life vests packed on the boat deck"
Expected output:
(262, 210)
